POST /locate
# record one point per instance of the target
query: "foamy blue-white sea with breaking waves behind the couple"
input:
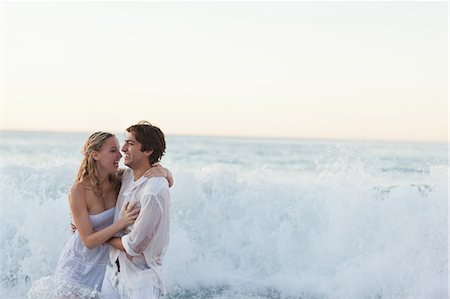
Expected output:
(252, 217)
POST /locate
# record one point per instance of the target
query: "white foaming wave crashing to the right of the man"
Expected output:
(336, 238)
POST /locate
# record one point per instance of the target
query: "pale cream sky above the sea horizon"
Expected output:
(322, 70)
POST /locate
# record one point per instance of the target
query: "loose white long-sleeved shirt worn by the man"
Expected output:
(146, 240)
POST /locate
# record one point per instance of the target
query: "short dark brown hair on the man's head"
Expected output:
(151, 139)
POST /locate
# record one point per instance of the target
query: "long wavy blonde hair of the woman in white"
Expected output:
(88, 171)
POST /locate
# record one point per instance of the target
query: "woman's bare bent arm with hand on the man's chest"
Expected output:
(89, 237)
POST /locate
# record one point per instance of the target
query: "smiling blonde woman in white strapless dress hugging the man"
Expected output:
(81, 266)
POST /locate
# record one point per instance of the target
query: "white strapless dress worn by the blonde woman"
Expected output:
(80, 271)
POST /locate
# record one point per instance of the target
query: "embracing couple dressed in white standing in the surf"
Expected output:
(122, 221)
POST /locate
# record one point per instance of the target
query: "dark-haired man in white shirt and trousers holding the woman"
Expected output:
(134, 269)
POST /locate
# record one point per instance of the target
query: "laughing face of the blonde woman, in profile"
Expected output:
(109, 155)
